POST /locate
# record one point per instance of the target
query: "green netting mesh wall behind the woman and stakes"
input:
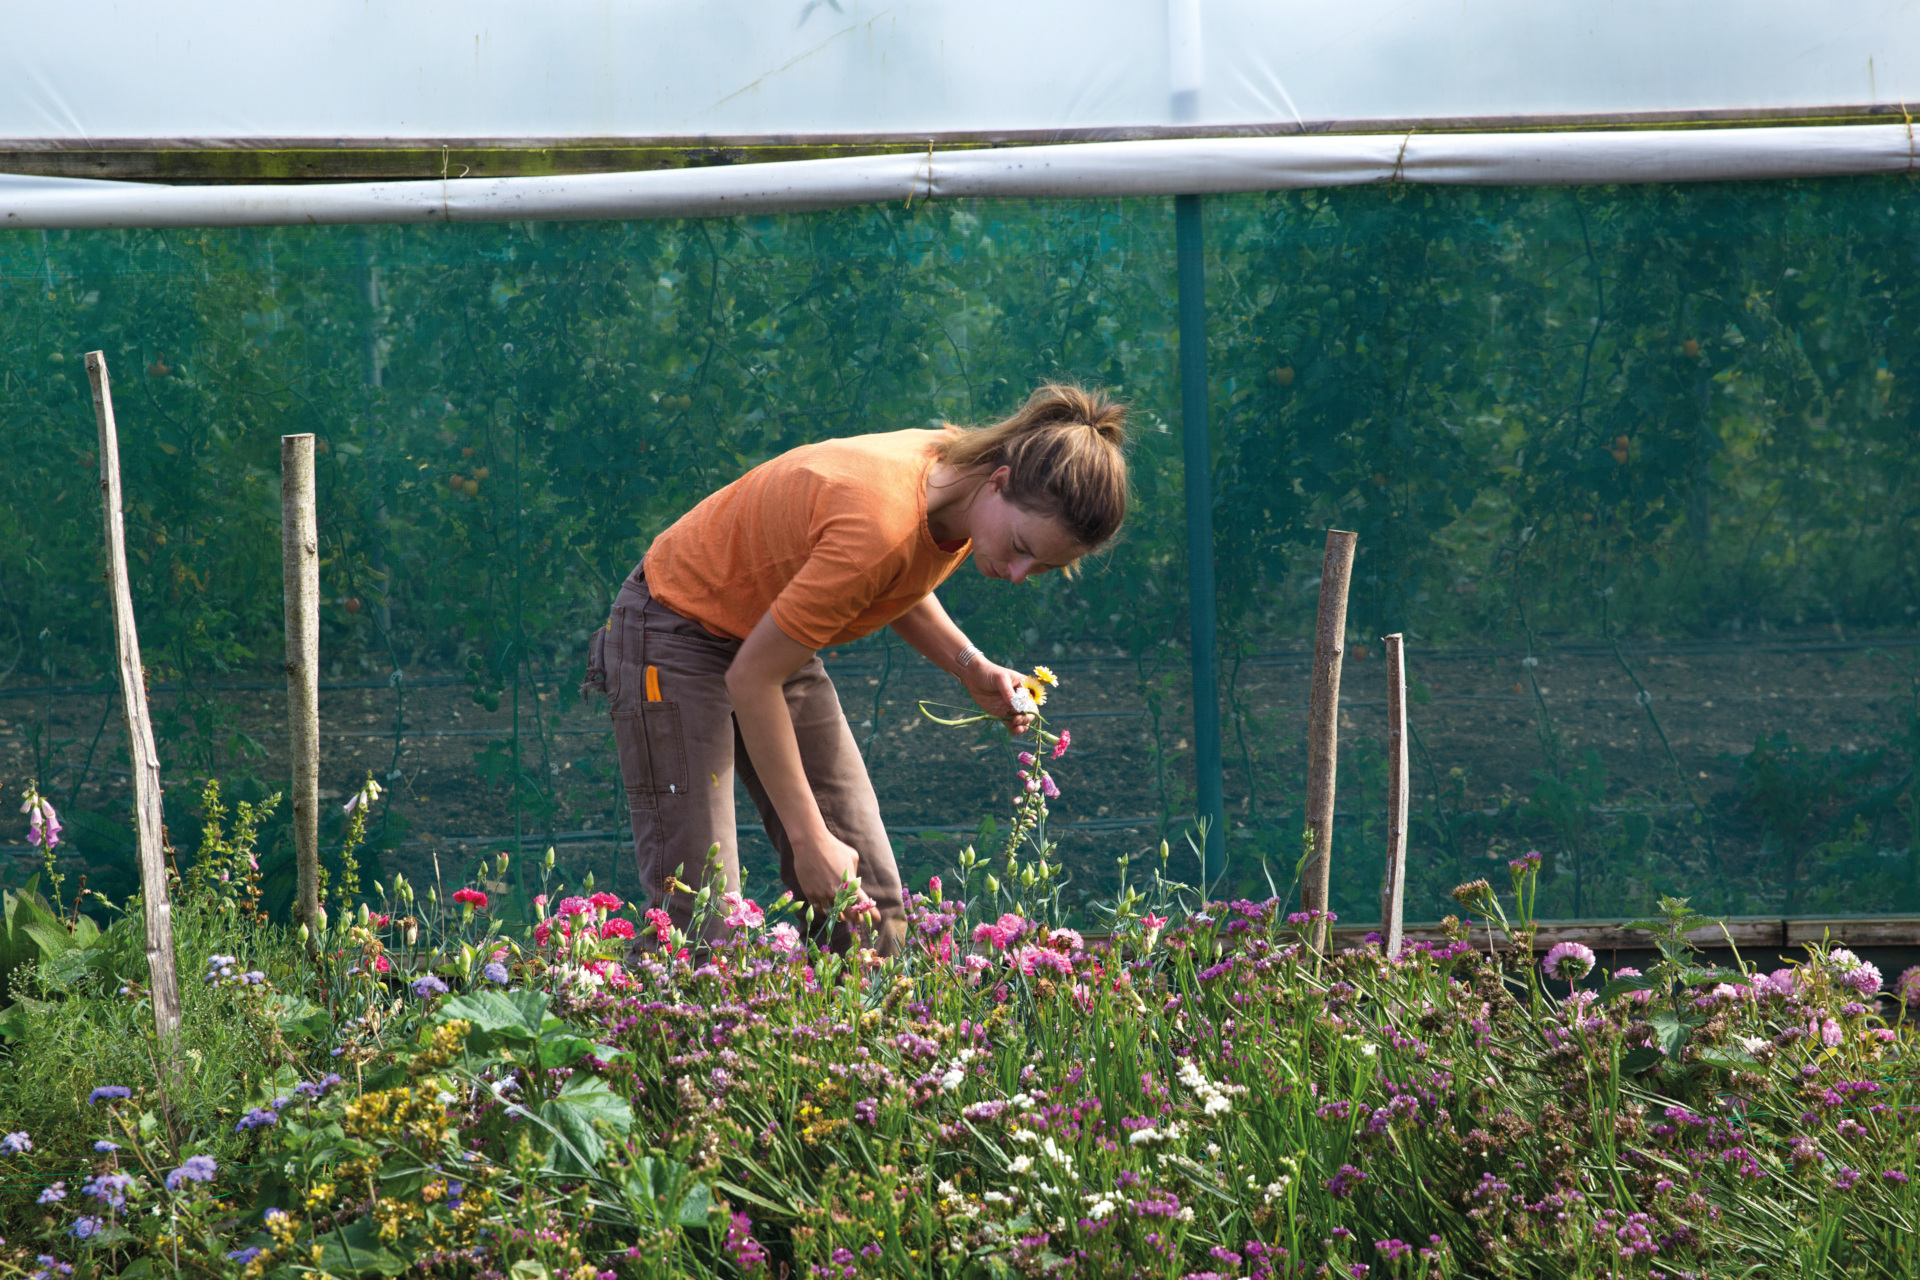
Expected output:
(1635, 469)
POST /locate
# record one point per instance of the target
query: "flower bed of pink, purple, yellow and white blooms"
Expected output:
(590, 1095)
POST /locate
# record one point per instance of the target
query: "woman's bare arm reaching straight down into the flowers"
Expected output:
(821, 861)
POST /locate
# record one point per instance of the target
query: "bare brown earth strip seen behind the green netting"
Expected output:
(1714, 699)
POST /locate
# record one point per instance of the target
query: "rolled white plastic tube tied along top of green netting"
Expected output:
(1147, 168)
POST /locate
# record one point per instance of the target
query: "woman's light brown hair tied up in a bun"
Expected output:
(1067, 450)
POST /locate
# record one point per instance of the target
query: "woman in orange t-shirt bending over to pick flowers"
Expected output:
(711, 655)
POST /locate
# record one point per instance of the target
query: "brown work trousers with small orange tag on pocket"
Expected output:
(679, 755)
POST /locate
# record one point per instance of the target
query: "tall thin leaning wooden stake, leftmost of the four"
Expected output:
(156, 909)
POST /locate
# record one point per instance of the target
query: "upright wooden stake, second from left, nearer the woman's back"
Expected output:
(300, 559)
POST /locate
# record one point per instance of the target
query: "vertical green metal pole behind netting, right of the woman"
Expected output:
(1199, 460)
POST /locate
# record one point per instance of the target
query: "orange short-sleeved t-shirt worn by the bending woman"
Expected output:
(832, 538)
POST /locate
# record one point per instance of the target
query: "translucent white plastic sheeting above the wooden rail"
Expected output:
(444, 70)
